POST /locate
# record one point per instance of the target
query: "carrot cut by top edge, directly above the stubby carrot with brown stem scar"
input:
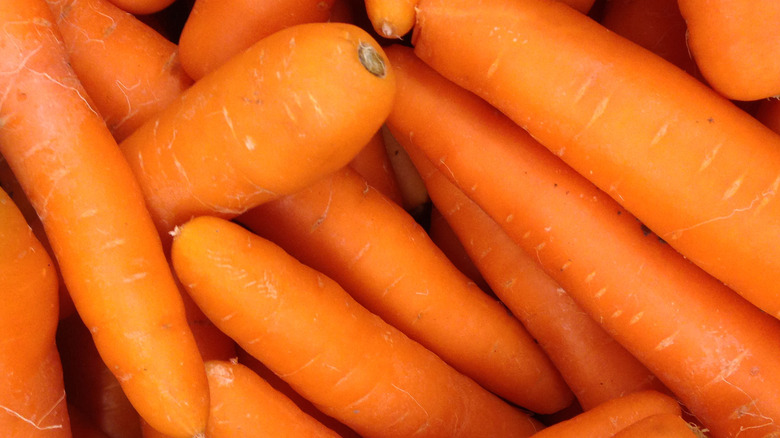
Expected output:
(205, 44)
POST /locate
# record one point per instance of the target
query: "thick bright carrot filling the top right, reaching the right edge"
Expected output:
(695, 169)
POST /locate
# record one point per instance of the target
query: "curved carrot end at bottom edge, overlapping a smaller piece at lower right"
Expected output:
(608, 418)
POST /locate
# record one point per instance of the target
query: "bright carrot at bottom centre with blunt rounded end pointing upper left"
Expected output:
(349, 362)
